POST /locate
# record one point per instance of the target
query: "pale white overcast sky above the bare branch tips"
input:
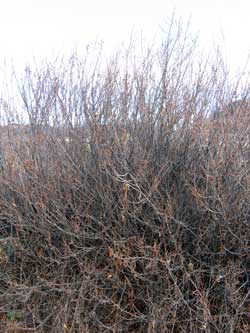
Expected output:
(45, 28)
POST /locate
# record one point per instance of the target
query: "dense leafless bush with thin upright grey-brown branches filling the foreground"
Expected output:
(124, 200)
